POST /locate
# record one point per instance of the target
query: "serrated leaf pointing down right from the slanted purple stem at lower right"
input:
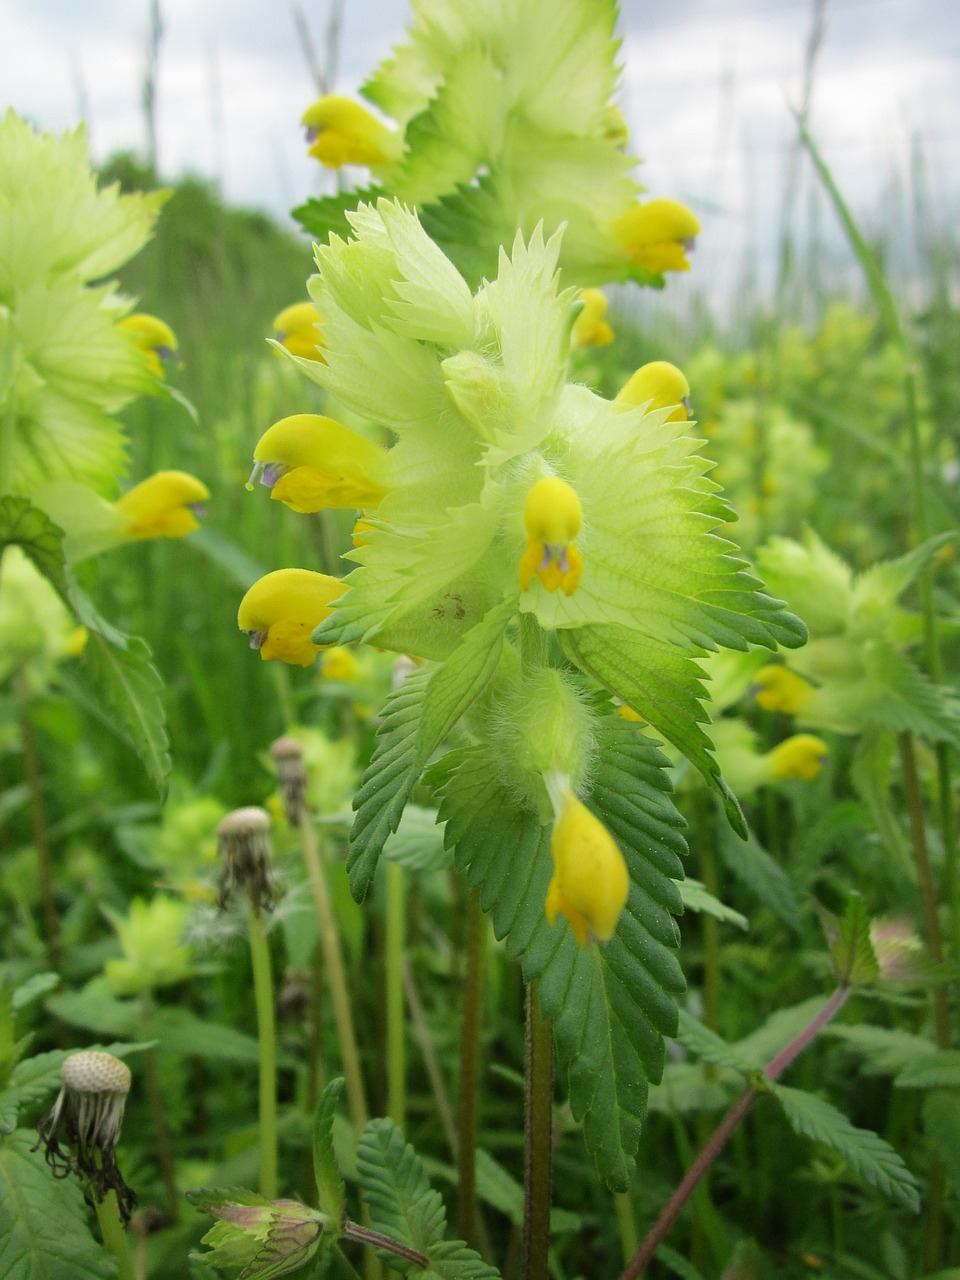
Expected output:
(867, 1154)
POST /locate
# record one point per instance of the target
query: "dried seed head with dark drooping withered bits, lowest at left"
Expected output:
(89, 1110)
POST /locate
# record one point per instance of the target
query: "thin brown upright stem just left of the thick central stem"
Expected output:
(468, 1101)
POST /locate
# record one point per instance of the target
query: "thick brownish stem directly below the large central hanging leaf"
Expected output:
(538, 1132)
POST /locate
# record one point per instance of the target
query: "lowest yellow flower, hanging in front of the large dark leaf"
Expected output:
(591, 883)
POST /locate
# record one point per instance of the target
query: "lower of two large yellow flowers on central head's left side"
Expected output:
(281, 611)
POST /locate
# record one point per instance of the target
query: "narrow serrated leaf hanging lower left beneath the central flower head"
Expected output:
(387, 781)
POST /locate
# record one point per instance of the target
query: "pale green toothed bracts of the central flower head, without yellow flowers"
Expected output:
(474, 390)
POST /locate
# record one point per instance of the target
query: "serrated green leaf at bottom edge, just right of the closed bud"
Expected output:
(404, 1206)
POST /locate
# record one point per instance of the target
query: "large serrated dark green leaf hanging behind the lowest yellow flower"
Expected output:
(612, 1004)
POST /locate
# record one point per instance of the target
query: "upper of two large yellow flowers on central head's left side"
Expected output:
(312, 463)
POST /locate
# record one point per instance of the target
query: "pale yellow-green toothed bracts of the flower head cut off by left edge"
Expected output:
(65, 365)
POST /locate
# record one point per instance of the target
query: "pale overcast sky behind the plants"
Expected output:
(707, 88)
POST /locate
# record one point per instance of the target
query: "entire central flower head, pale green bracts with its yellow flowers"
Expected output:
(496, 492)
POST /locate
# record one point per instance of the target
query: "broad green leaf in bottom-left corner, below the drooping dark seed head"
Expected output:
(44, 1233)
